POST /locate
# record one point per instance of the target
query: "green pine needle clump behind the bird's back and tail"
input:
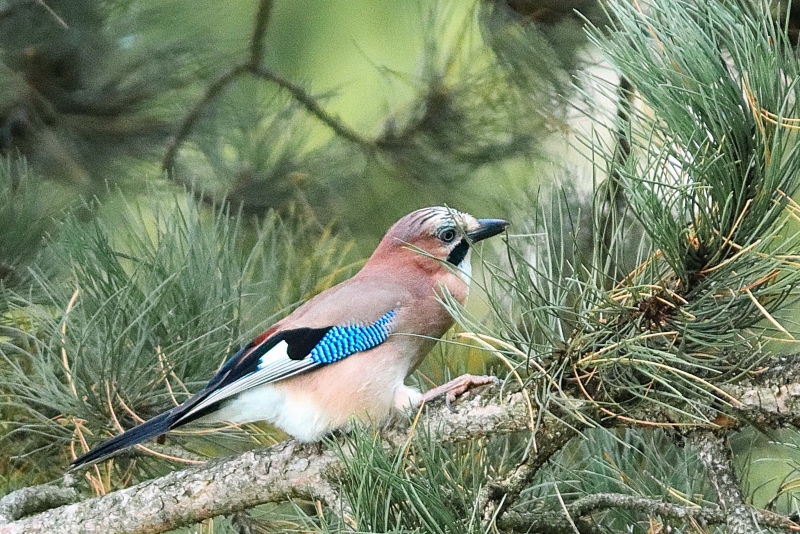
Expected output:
(140, 319)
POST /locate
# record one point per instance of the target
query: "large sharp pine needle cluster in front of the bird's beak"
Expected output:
(709, 218)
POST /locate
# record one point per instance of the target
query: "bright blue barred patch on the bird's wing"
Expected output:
(342, 341)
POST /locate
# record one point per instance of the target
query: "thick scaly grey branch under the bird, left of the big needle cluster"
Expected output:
(220, 487)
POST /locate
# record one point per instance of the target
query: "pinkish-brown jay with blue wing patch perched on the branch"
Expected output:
(345, 353)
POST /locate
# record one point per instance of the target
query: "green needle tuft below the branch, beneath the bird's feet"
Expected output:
(424, 487)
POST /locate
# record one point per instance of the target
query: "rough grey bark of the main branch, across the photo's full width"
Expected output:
(292, 470)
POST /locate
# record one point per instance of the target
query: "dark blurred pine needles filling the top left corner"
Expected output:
(81, 94)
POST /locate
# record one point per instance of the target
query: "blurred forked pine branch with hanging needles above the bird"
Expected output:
(466, 115)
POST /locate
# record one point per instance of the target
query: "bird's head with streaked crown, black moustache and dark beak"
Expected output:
(431, 239)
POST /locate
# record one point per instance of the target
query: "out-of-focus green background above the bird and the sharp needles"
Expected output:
(93, 94)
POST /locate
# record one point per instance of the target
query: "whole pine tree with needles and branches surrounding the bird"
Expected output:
(641, 332)
